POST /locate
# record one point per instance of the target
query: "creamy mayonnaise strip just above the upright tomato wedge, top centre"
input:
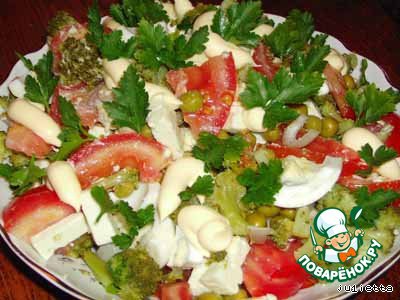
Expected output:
(216, 45)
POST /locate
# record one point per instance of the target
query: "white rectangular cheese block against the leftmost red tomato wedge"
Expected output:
(59, 235)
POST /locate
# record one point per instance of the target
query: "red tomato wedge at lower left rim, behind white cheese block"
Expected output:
(33, 212)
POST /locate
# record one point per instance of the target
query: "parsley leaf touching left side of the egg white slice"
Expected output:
(262, 184)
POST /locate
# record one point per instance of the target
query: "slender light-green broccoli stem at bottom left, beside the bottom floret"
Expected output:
(100, 271)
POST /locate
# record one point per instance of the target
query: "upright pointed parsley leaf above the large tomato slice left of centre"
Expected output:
(130, 106)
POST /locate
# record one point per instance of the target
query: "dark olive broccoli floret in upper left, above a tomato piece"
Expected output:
(80, 62)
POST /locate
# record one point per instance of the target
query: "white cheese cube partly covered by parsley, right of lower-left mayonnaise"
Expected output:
(103, 230)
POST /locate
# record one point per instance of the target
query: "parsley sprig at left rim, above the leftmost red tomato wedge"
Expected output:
(22, 179)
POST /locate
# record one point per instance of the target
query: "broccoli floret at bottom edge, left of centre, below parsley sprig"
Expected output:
(135, 273)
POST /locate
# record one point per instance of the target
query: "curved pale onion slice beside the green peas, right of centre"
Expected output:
(289, 136)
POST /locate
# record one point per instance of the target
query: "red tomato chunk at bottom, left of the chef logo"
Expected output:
(269, 269)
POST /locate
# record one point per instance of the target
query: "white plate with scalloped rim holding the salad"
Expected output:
(72, 275)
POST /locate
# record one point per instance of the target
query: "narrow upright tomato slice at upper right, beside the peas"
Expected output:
(337, 87)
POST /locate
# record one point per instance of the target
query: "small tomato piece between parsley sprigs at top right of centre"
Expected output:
(264, 60)
